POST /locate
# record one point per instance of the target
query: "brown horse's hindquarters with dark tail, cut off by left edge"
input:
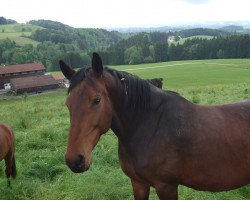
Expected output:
(7, 150)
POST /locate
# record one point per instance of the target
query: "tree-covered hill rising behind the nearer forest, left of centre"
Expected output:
(85, 38)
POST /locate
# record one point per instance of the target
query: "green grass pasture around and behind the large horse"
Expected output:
(41, 123)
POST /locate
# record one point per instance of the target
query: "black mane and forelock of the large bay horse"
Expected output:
(136, 91)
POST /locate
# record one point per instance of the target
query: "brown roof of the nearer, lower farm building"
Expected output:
(33, 81)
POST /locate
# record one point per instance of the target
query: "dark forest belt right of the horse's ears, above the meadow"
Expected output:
(143, 48)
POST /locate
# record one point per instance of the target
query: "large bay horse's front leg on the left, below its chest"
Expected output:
(141, 191)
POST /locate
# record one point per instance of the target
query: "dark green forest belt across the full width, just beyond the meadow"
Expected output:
(141, 48)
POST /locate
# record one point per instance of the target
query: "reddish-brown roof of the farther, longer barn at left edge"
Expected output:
(21, 68)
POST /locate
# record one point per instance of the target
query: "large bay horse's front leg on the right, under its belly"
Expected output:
(167, 192)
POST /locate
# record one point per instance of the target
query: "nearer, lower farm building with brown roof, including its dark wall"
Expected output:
(35, 84)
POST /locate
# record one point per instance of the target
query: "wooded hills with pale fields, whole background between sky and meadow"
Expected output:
(52, 41)
